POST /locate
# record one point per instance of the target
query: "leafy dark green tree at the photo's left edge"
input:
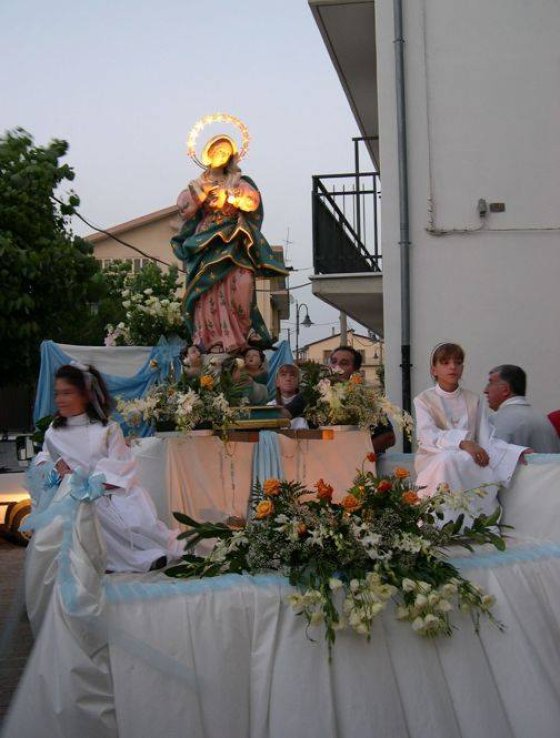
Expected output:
(47, 273)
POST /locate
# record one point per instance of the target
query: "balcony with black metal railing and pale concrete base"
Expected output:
(347, 257)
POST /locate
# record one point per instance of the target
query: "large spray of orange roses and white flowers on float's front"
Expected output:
(348, 559)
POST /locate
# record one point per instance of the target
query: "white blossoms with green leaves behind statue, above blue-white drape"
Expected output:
(151, 311)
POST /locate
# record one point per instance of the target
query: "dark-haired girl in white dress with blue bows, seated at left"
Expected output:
(81, 436)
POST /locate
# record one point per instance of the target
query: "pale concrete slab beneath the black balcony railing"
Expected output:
(360, 296)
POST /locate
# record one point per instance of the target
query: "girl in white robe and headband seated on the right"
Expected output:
(456, 446)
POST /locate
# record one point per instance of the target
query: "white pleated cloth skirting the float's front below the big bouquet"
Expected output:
(229, 658)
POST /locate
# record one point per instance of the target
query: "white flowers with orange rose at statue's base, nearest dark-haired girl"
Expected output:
(211, 399)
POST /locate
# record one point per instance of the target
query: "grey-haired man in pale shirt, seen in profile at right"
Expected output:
(515, 421)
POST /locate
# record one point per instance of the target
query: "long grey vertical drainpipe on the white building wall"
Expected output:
(404, 242)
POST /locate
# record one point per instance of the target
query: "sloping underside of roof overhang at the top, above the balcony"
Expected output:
(348, 31)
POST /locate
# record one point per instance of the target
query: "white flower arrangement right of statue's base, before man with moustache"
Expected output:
(333, 401)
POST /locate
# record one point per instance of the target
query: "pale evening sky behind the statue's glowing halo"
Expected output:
(123, 82)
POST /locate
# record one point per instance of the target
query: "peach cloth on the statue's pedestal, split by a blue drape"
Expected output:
(210, 480)
